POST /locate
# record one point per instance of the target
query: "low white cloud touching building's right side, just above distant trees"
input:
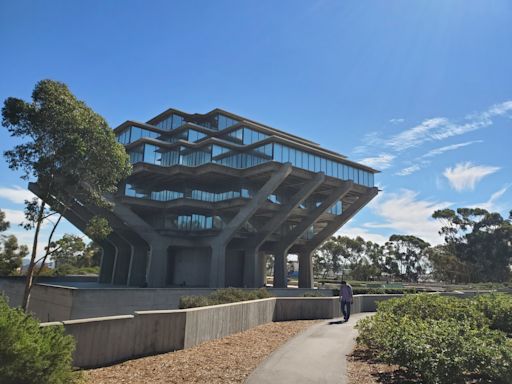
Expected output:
(404, 213)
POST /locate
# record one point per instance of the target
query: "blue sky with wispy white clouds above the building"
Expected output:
(419, 89)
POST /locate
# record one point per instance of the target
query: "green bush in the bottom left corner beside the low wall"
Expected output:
(30, 354)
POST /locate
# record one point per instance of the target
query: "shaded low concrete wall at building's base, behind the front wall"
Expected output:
(59, 300)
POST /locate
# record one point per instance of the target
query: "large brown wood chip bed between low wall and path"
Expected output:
(227, 360)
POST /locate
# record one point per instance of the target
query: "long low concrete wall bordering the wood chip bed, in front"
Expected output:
(106, 340)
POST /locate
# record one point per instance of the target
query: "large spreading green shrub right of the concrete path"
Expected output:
(442, 340)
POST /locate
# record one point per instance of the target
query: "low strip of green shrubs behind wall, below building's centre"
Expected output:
(223, 296)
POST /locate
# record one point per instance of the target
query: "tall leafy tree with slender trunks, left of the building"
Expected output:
(67, 149)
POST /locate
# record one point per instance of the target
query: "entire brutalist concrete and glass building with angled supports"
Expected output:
(211, 195)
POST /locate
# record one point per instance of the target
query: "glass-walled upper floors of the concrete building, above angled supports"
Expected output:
(177, 138)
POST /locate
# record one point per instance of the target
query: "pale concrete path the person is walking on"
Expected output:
(317, 355)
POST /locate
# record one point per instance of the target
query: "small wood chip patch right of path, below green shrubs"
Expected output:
(363, 369)
